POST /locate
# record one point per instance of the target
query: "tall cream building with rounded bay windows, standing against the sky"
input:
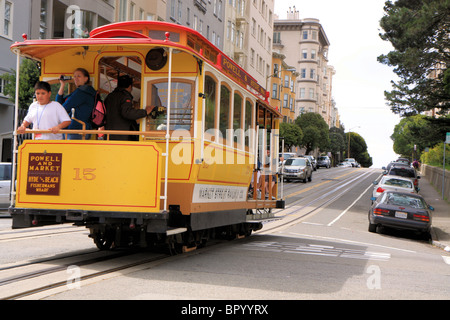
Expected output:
(305, 45)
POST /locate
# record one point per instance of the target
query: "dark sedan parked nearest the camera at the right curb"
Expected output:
(400, 211)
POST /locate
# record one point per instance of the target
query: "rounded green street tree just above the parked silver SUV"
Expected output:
(315, 132)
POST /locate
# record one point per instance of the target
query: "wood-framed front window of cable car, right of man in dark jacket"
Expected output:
(181, 112)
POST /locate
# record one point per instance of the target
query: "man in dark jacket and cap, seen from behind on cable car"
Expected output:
(120, 114)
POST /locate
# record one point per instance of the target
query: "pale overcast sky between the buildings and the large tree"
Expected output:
(352, 27)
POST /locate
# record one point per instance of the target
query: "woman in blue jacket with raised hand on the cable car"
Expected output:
(82, 100)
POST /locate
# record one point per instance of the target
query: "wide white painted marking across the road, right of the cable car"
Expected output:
(314, 249)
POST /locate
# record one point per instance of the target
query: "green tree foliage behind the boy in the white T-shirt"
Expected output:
(29, 75)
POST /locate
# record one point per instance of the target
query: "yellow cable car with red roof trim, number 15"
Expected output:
(189, 174)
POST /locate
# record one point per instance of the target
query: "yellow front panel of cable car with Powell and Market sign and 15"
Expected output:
(89, 175)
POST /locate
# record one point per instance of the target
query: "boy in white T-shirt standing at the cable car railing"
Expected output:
(45, 114)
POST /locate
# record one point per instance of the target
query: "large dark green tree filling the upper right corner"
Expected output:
(418, 30)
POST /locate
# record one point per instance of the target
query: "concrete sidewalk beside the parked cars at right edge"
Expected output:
(440, 232)
